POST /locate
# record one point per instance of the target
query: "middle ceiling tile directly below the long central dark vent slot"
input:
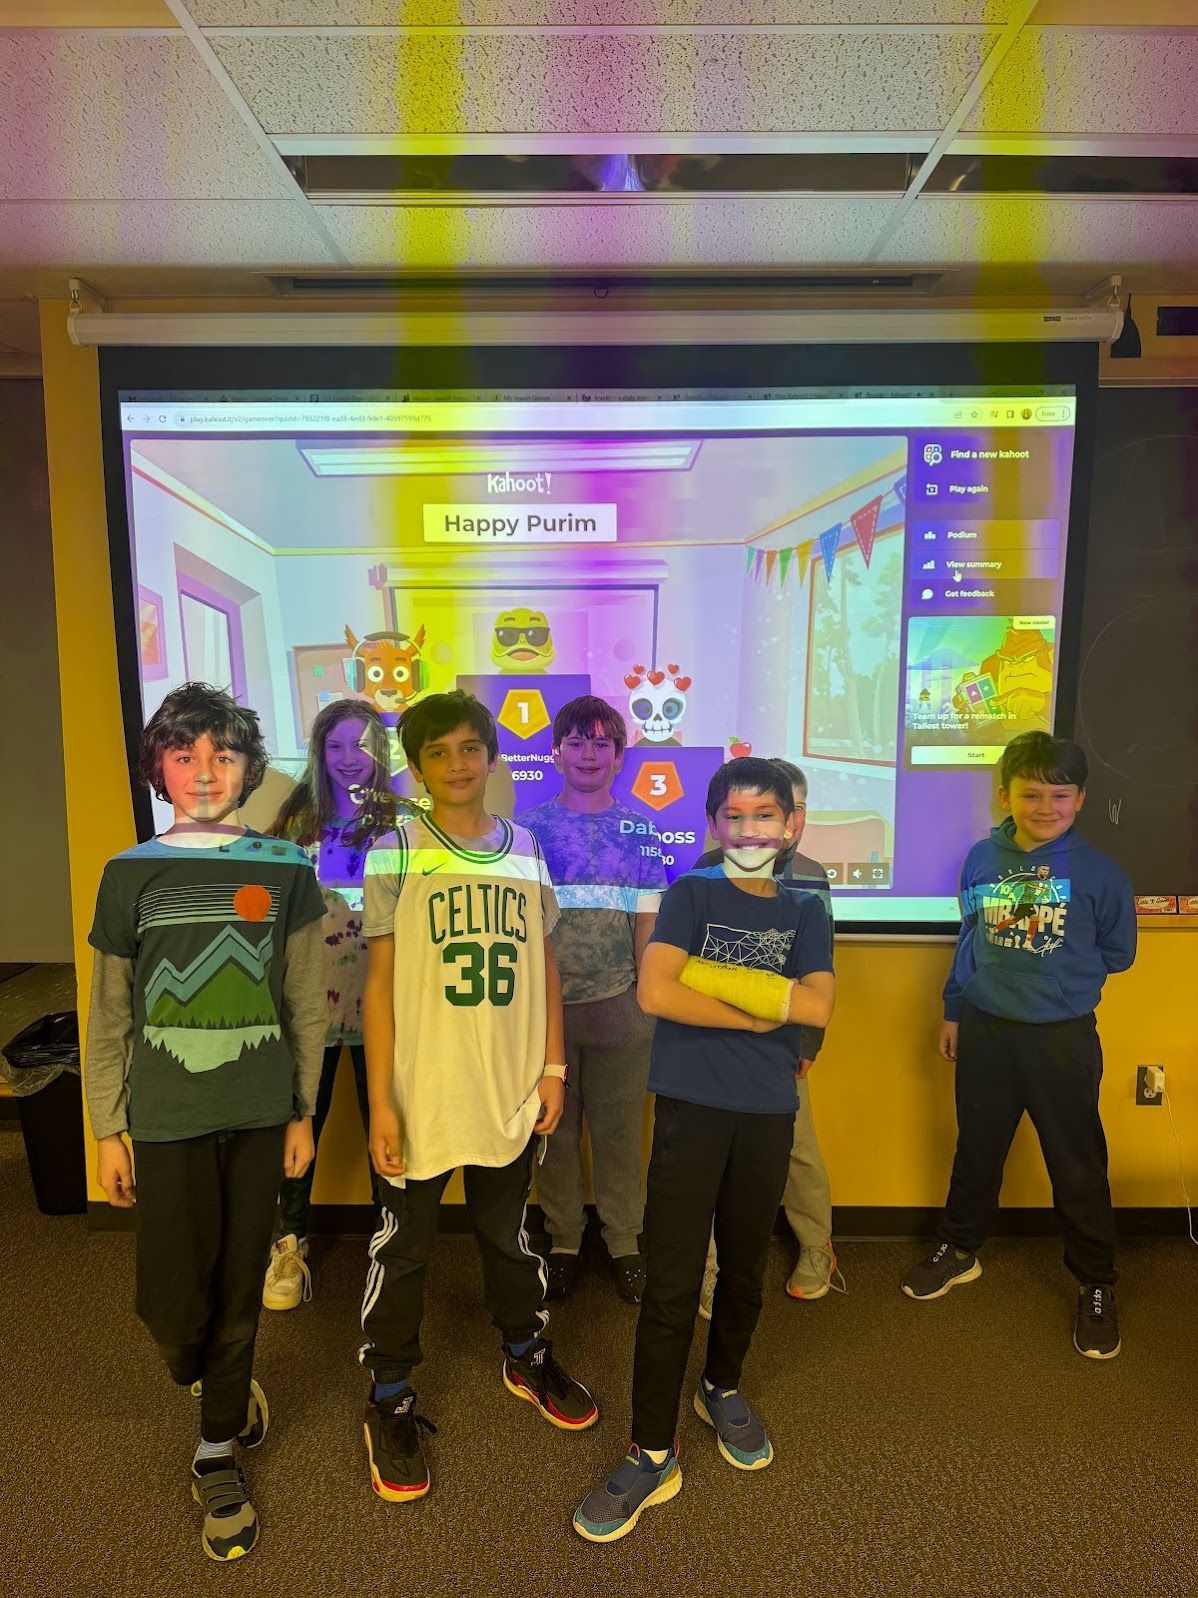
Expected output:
(708, 234)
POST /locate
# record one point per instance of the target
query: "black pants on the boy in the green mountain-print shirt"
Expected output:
(205, 1217)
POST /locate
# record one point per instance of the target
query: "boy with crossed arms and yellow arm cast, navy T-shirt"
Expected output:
(734, 969)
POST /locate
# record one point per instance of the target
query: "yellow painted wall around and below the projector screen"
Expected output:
(883, 1097)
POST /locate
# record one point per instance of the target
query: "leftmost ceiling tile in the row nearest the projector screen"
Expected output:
(215, 233)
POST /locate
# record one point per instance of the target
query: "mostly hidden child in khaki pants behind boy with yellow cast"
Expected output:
(807, 1199)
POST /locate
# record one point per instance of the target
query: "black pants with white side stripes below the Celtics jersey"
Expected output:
(514, 1278)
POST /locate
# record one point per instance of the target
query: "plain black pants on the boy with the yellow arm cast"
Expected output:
(707, 1166)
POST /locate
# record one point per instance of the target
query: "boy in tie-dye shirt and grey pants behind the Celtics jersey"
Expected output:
(608, 872)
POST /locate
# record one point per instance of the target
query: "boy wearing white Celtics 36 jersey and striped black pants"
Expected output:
(462, 1020)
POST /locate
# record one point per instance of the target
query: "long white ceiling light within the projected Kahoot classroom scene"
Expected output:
(451, 459)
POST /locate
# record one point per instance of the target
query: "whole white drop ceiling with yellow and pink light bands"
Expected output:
(143, 141)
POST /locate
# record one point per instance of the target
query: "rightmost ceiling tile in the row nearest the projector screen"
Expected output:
(1111, 234)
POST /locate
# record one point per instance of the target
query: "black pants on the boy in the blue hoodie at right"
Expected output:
(1052, 1071)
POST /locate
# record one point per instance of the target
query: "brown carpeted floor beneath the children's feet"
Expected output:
(924, 1450)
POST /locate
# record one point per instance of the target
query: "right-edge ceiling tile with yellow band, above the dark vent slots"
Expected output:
(1071, 82)
